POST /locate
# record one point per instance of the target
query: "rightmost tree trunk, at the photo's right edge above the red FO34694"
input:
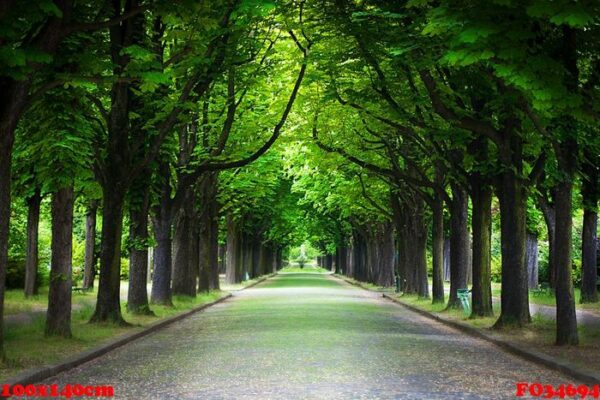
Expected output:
(590, 190)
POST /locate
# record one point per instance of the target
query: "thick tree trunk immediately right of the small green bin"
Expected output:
(481, 197)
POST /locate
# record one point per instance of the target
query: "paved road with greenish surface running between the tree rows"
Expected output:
(309, 336)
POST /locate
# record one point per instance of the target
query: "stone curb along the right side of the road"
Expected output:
(529, 355)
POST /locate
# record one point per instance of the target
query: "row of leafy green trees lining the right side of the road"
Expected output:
(444, 107)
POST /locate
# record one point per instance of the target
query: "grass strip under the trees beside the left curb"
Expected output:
(27, 347)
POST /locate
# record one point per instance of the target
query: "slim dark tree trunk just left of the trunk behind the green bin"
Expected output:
(437, 247)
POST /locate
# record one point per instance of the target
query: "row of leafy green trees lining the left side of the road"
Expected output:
(132, 109)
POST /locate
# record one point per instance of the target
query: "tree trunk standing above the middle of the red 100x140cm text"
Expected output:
(58, 314)
